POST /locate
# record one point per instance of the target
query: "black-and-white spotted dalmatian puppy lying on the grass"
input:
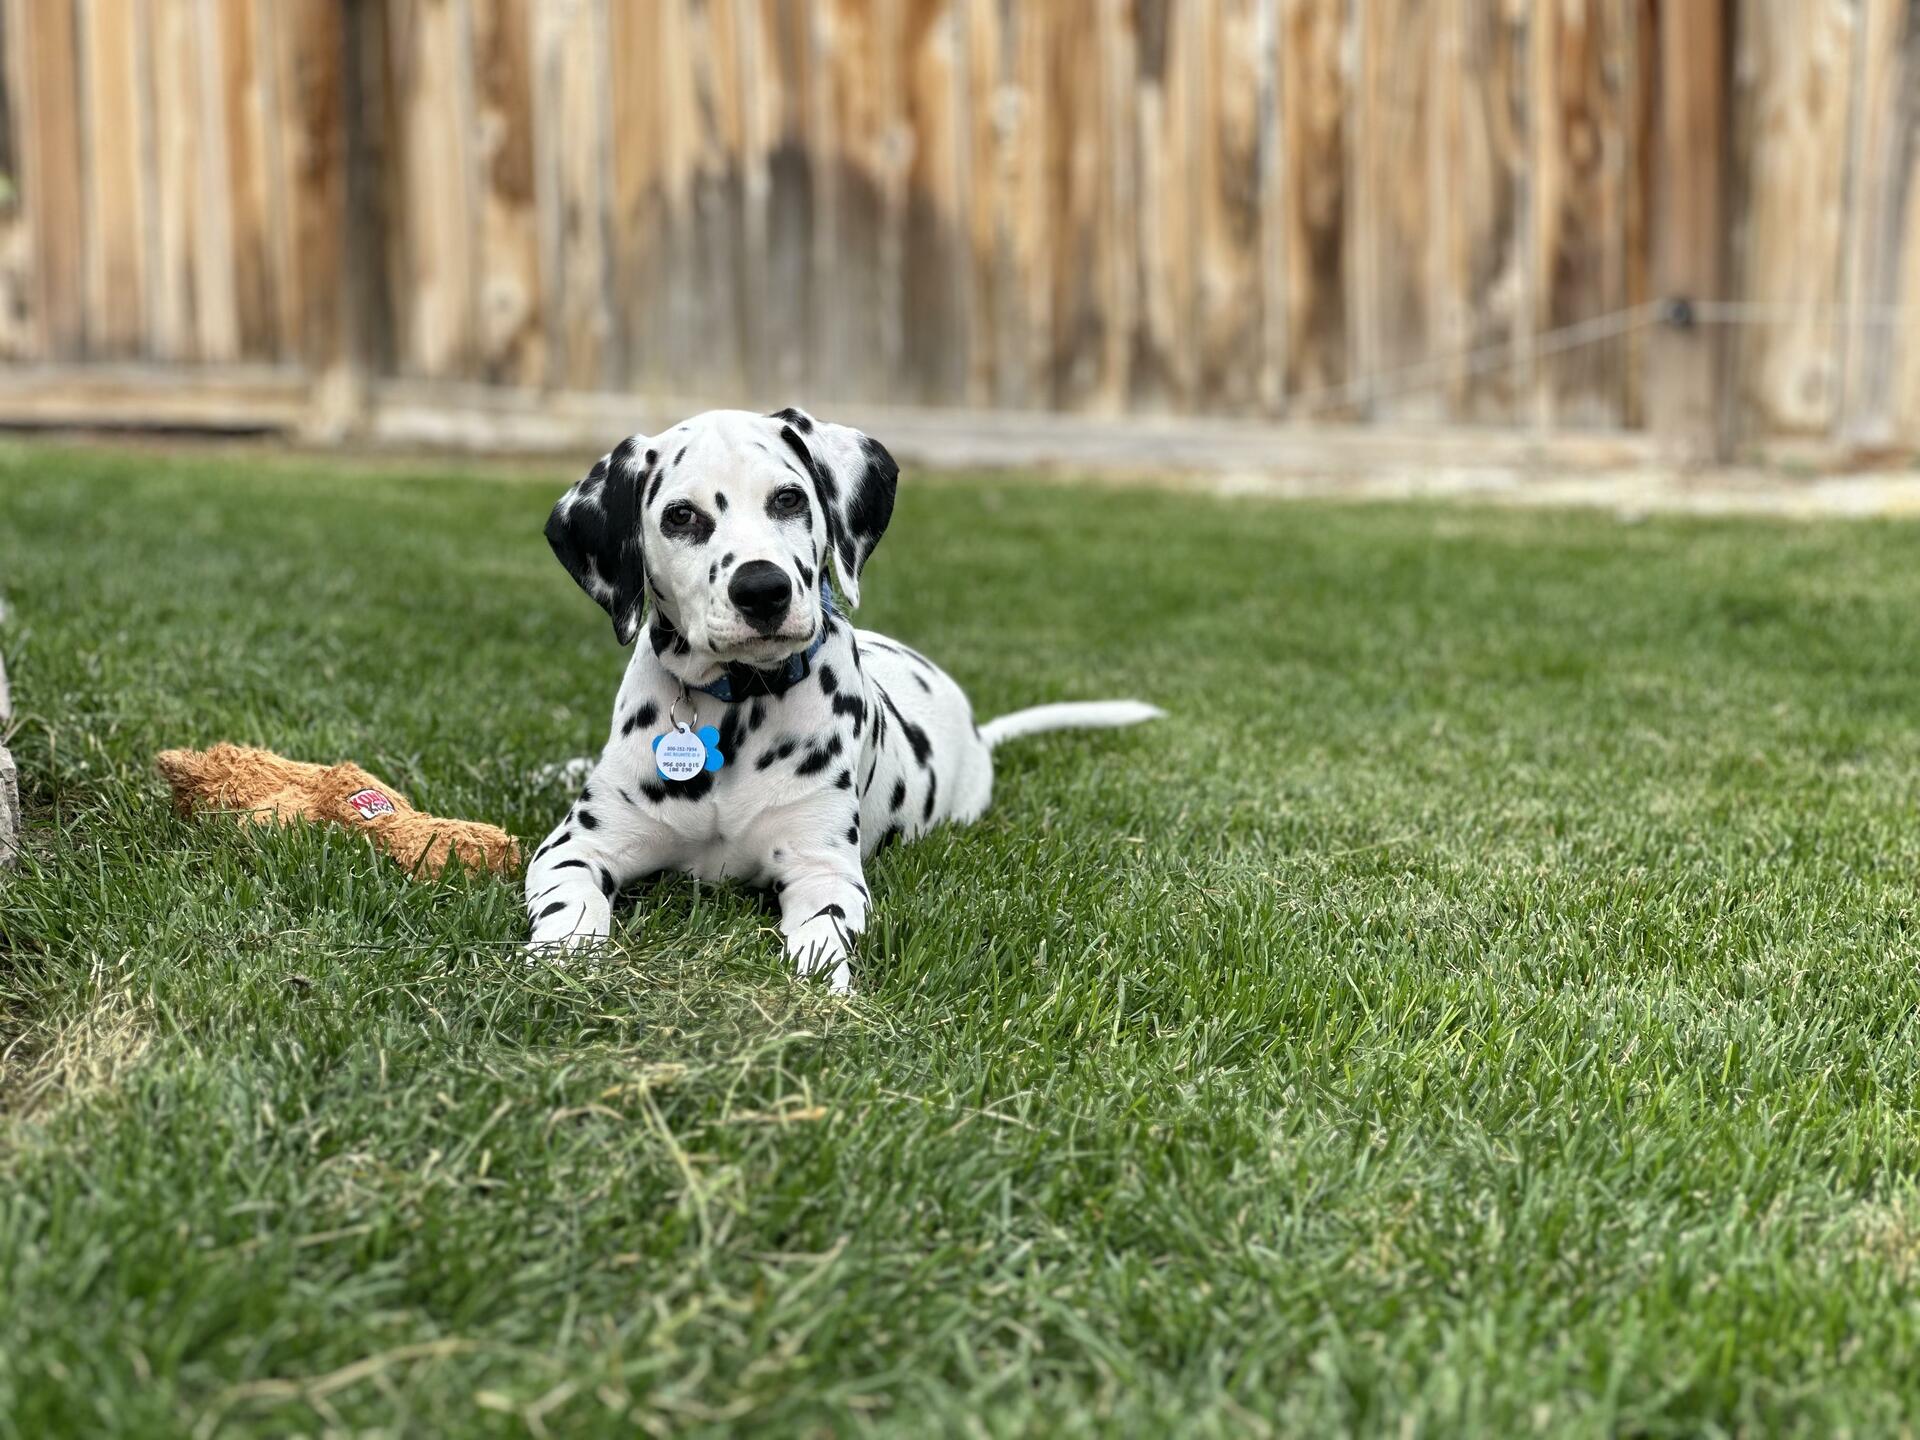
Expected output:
(757, 736)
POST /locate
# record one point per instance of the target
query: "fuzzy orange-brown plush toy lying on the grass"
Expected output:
(268, 788)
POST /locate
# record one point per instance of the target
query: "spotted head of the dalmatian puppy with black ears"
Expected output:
(729, 523)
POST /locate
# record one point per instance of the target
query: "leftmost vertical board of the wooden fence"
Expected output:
(43, 45)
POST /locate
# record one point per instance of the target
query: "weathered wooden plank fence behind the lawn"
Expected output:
(1376, 210)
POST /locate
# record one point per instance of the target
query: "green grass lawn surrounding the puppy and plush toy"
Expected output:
(1489, 1005)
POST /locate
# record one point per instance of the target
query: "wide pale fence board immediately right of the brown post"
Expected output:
(1792, 112)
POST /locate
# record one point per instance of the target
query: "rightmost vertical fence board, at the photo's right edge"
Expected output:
(1884, 231)
